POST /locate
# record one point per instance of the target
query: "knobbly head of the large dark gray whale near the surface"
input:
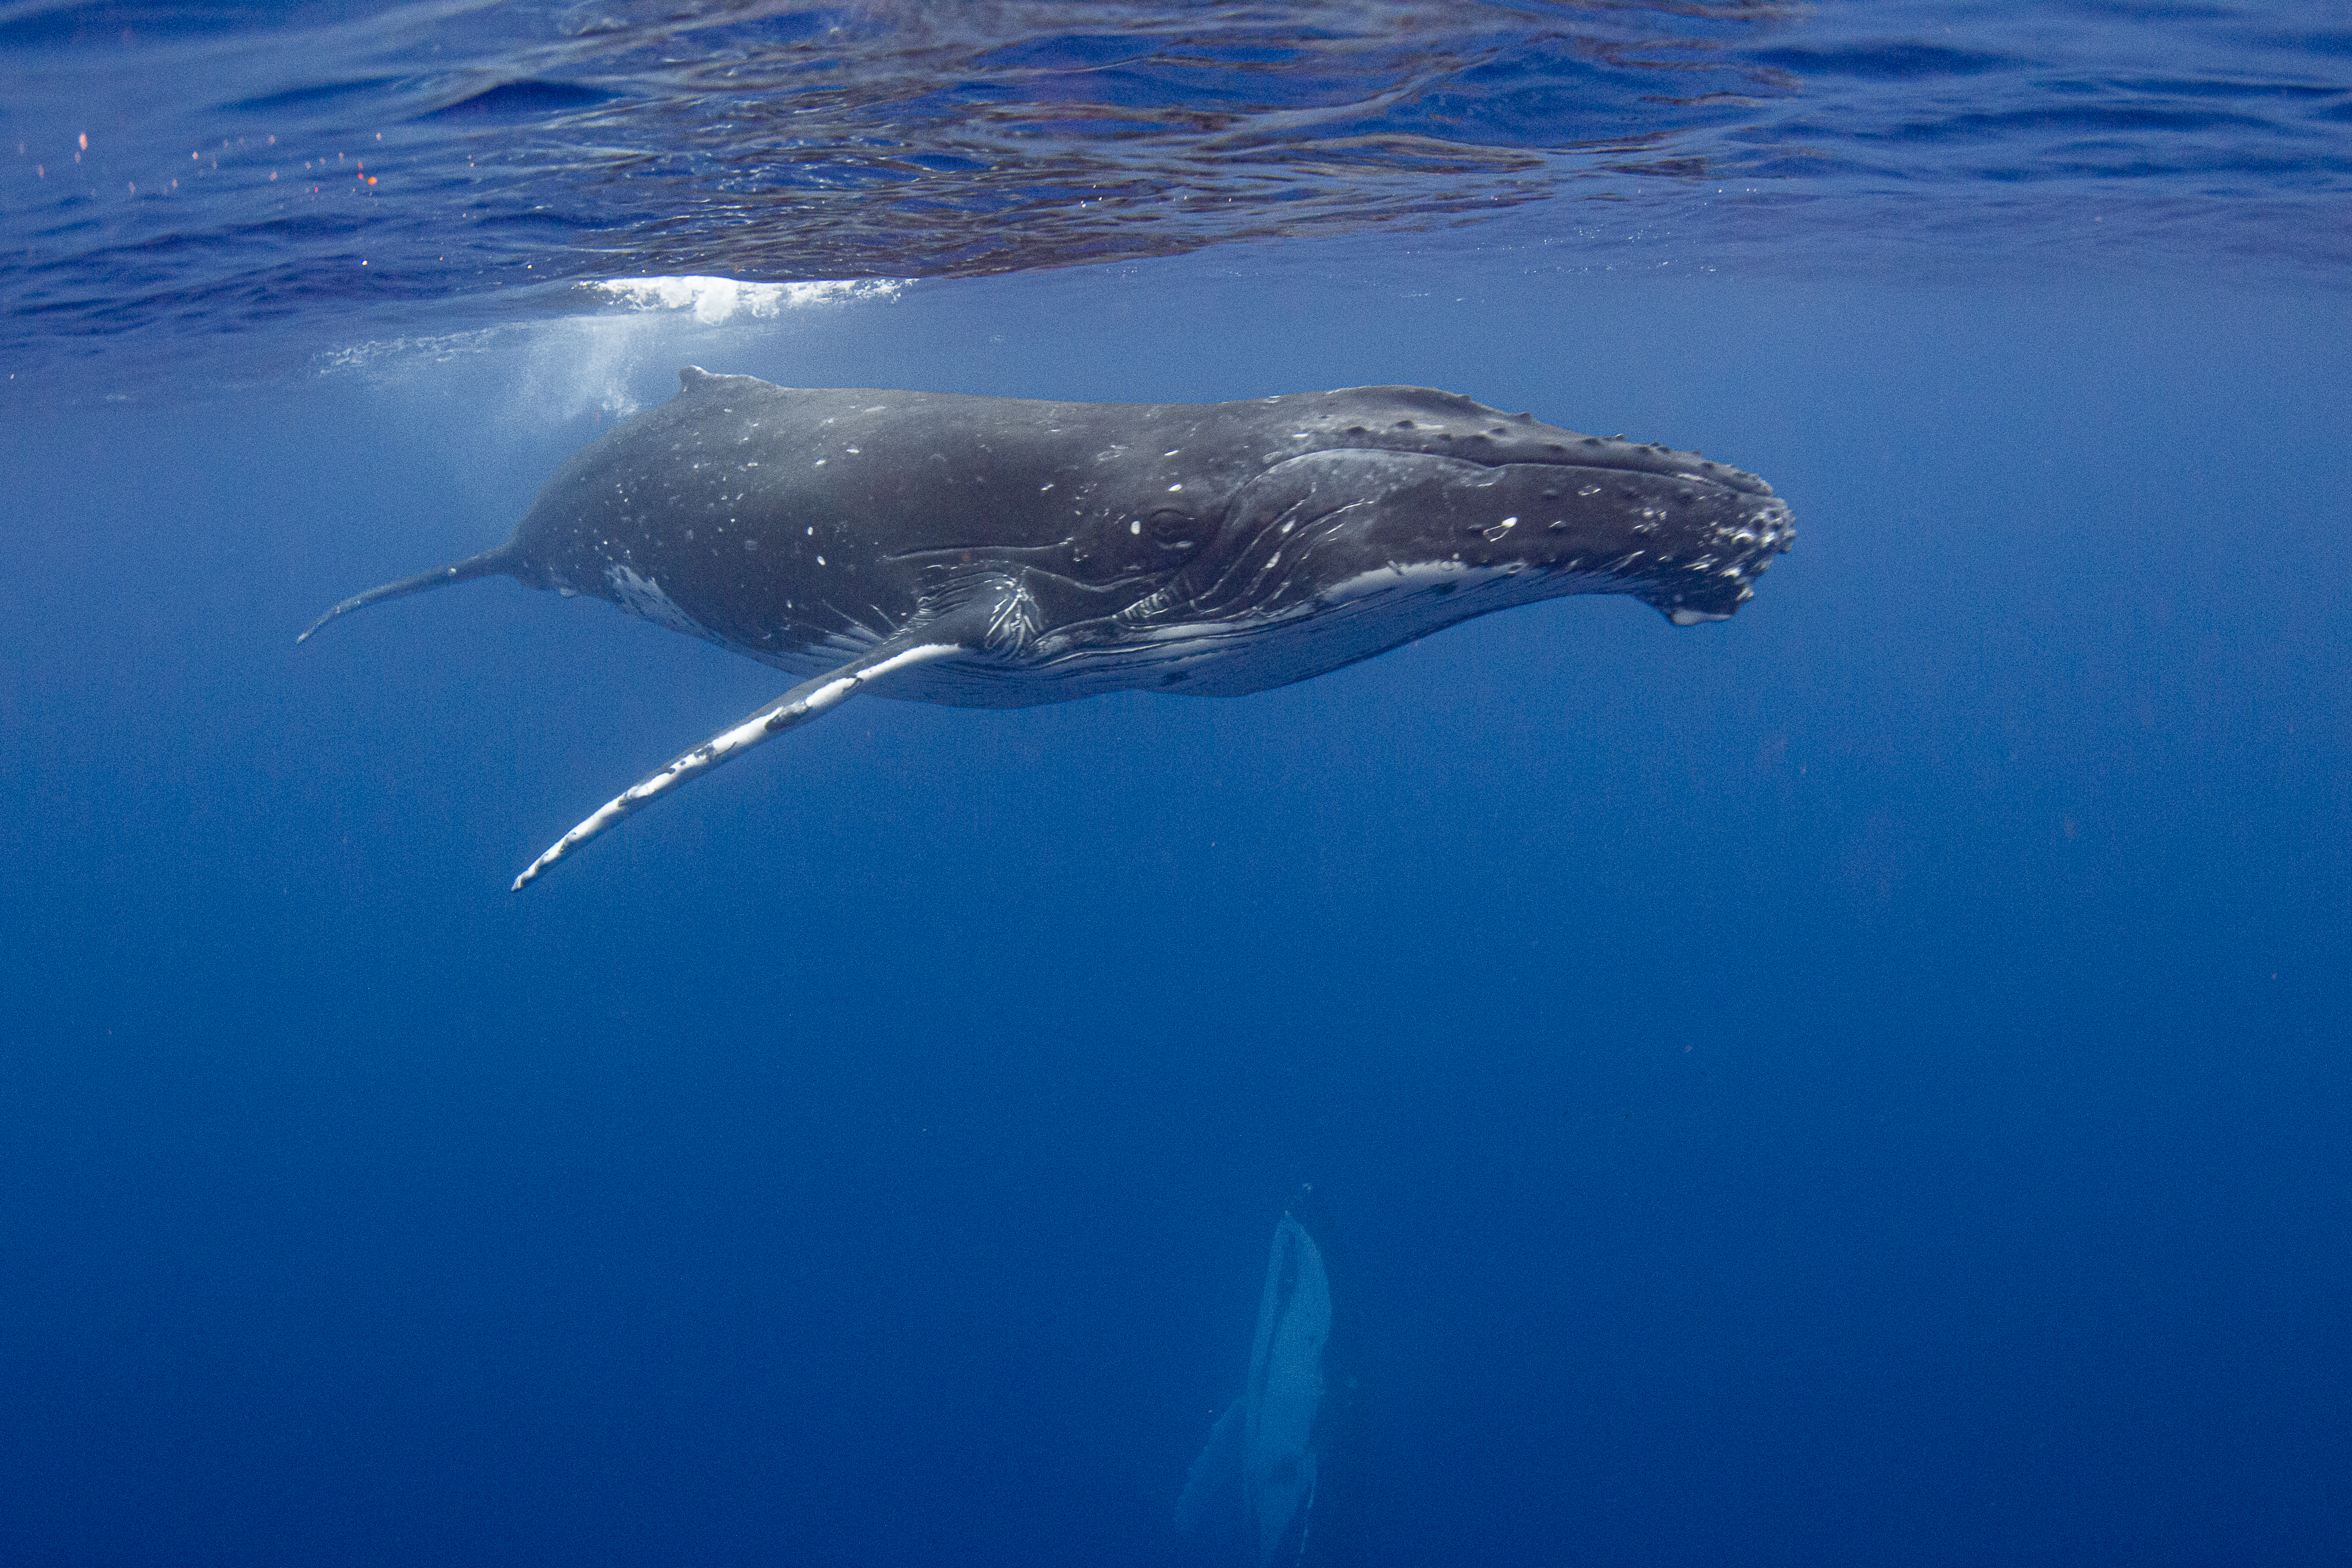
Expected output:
(1377, 516)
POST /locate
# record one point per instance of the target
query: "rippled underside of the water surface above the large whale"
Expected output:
(232, 168)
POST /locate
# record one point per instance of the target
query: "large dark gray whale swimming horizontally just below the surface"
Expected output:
(998, 554)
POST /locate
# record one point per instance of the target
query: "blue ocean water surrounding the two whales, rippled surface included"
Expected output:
(1864, 1083)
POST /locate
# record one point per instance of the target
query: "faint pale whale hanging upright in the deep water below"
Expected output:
(1252, 1489)
